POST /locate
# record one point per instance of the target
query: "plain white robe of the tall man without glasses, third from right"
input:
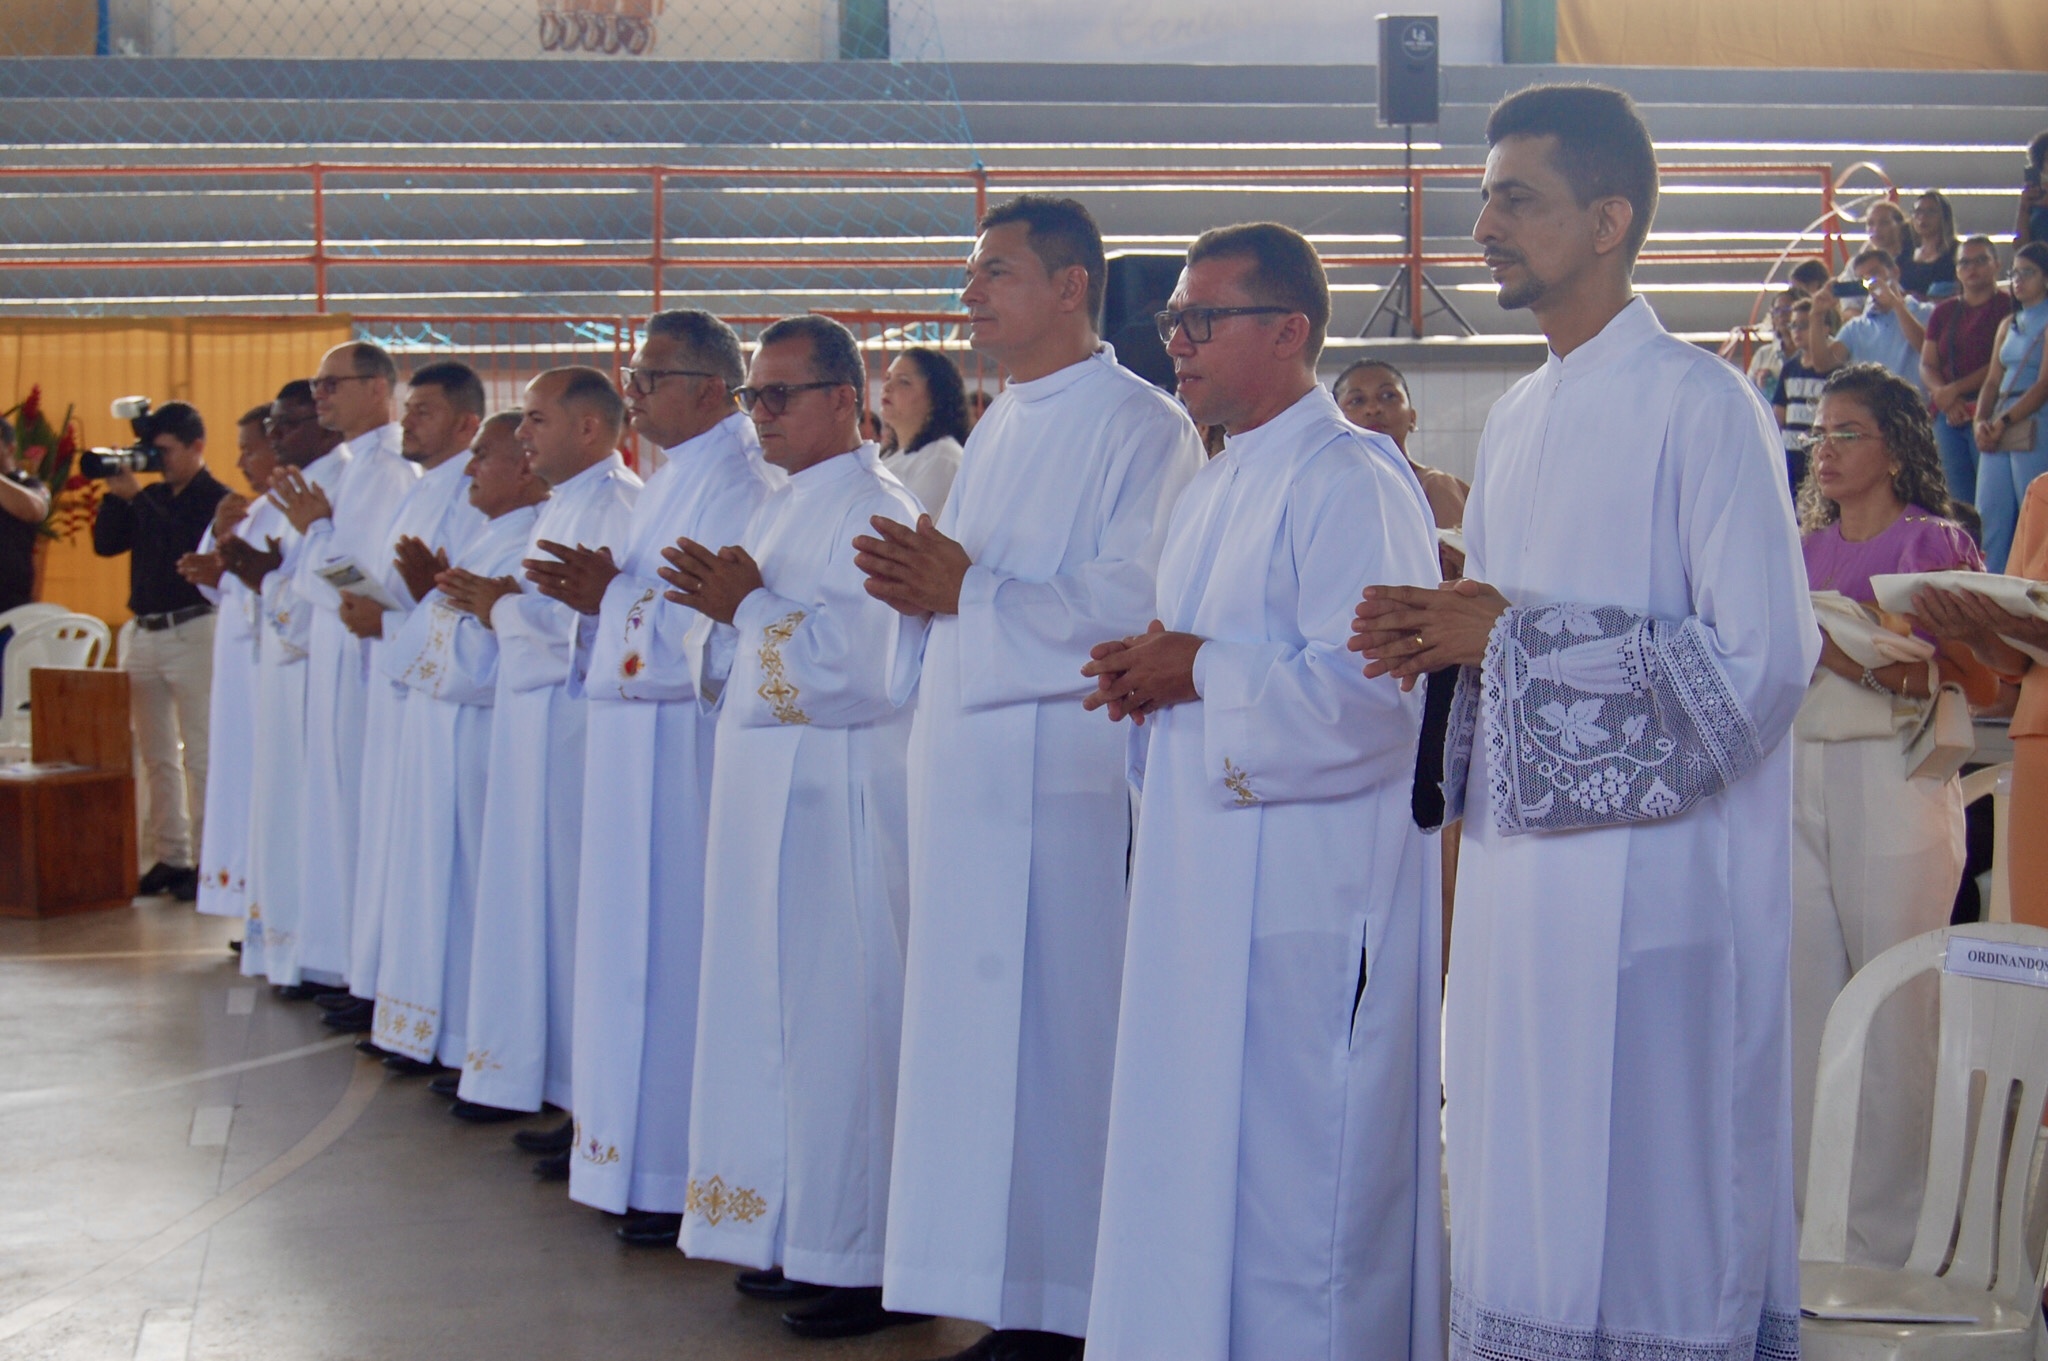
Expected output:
(1021, 832)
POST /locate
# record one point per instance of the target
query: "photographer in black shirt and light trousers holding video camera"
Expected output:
(171, 654)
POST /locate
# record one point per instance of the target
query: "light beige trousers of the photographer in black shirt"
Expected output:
(171, 678)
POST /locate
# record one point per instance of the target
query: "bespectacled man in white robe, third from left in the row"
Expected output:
(345, 533)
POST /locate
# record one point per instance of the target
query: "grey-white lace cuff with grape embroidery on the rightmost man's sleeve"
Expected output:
(1601, 717)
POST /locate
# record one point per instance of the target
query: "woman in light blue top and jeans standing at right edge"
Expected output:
(2022, 386)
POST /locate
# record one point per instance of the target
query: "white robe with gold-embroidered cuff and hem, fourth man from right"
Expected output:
(806, 893)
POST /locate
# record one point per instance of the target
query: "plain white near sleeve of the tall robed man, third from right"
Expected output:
(1029, 640)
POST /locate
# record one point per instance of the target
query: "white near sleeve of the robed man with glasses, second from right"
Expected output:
(1295, 717)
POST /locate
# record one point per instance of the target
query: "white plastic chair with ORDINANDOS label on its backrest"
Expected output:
(1973, 1252)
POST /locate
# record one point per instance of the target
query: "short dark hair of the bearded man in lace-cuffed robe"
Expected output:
(1603, 146)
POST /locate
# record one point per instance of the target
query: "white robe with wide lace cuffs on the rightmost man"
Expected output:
(1617, 1028)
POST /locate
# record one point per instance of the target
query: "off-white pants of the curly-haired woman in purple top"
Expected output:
(1875, 861)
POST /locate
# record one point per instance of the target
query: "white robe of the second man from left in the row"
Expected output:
(278, 777)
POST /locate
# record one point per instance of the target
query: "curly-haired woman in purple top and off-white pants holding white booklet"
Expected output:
(1877, 850)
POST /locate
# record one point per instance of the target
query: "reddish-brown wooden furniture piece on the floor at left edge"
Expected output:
(69, 834)
